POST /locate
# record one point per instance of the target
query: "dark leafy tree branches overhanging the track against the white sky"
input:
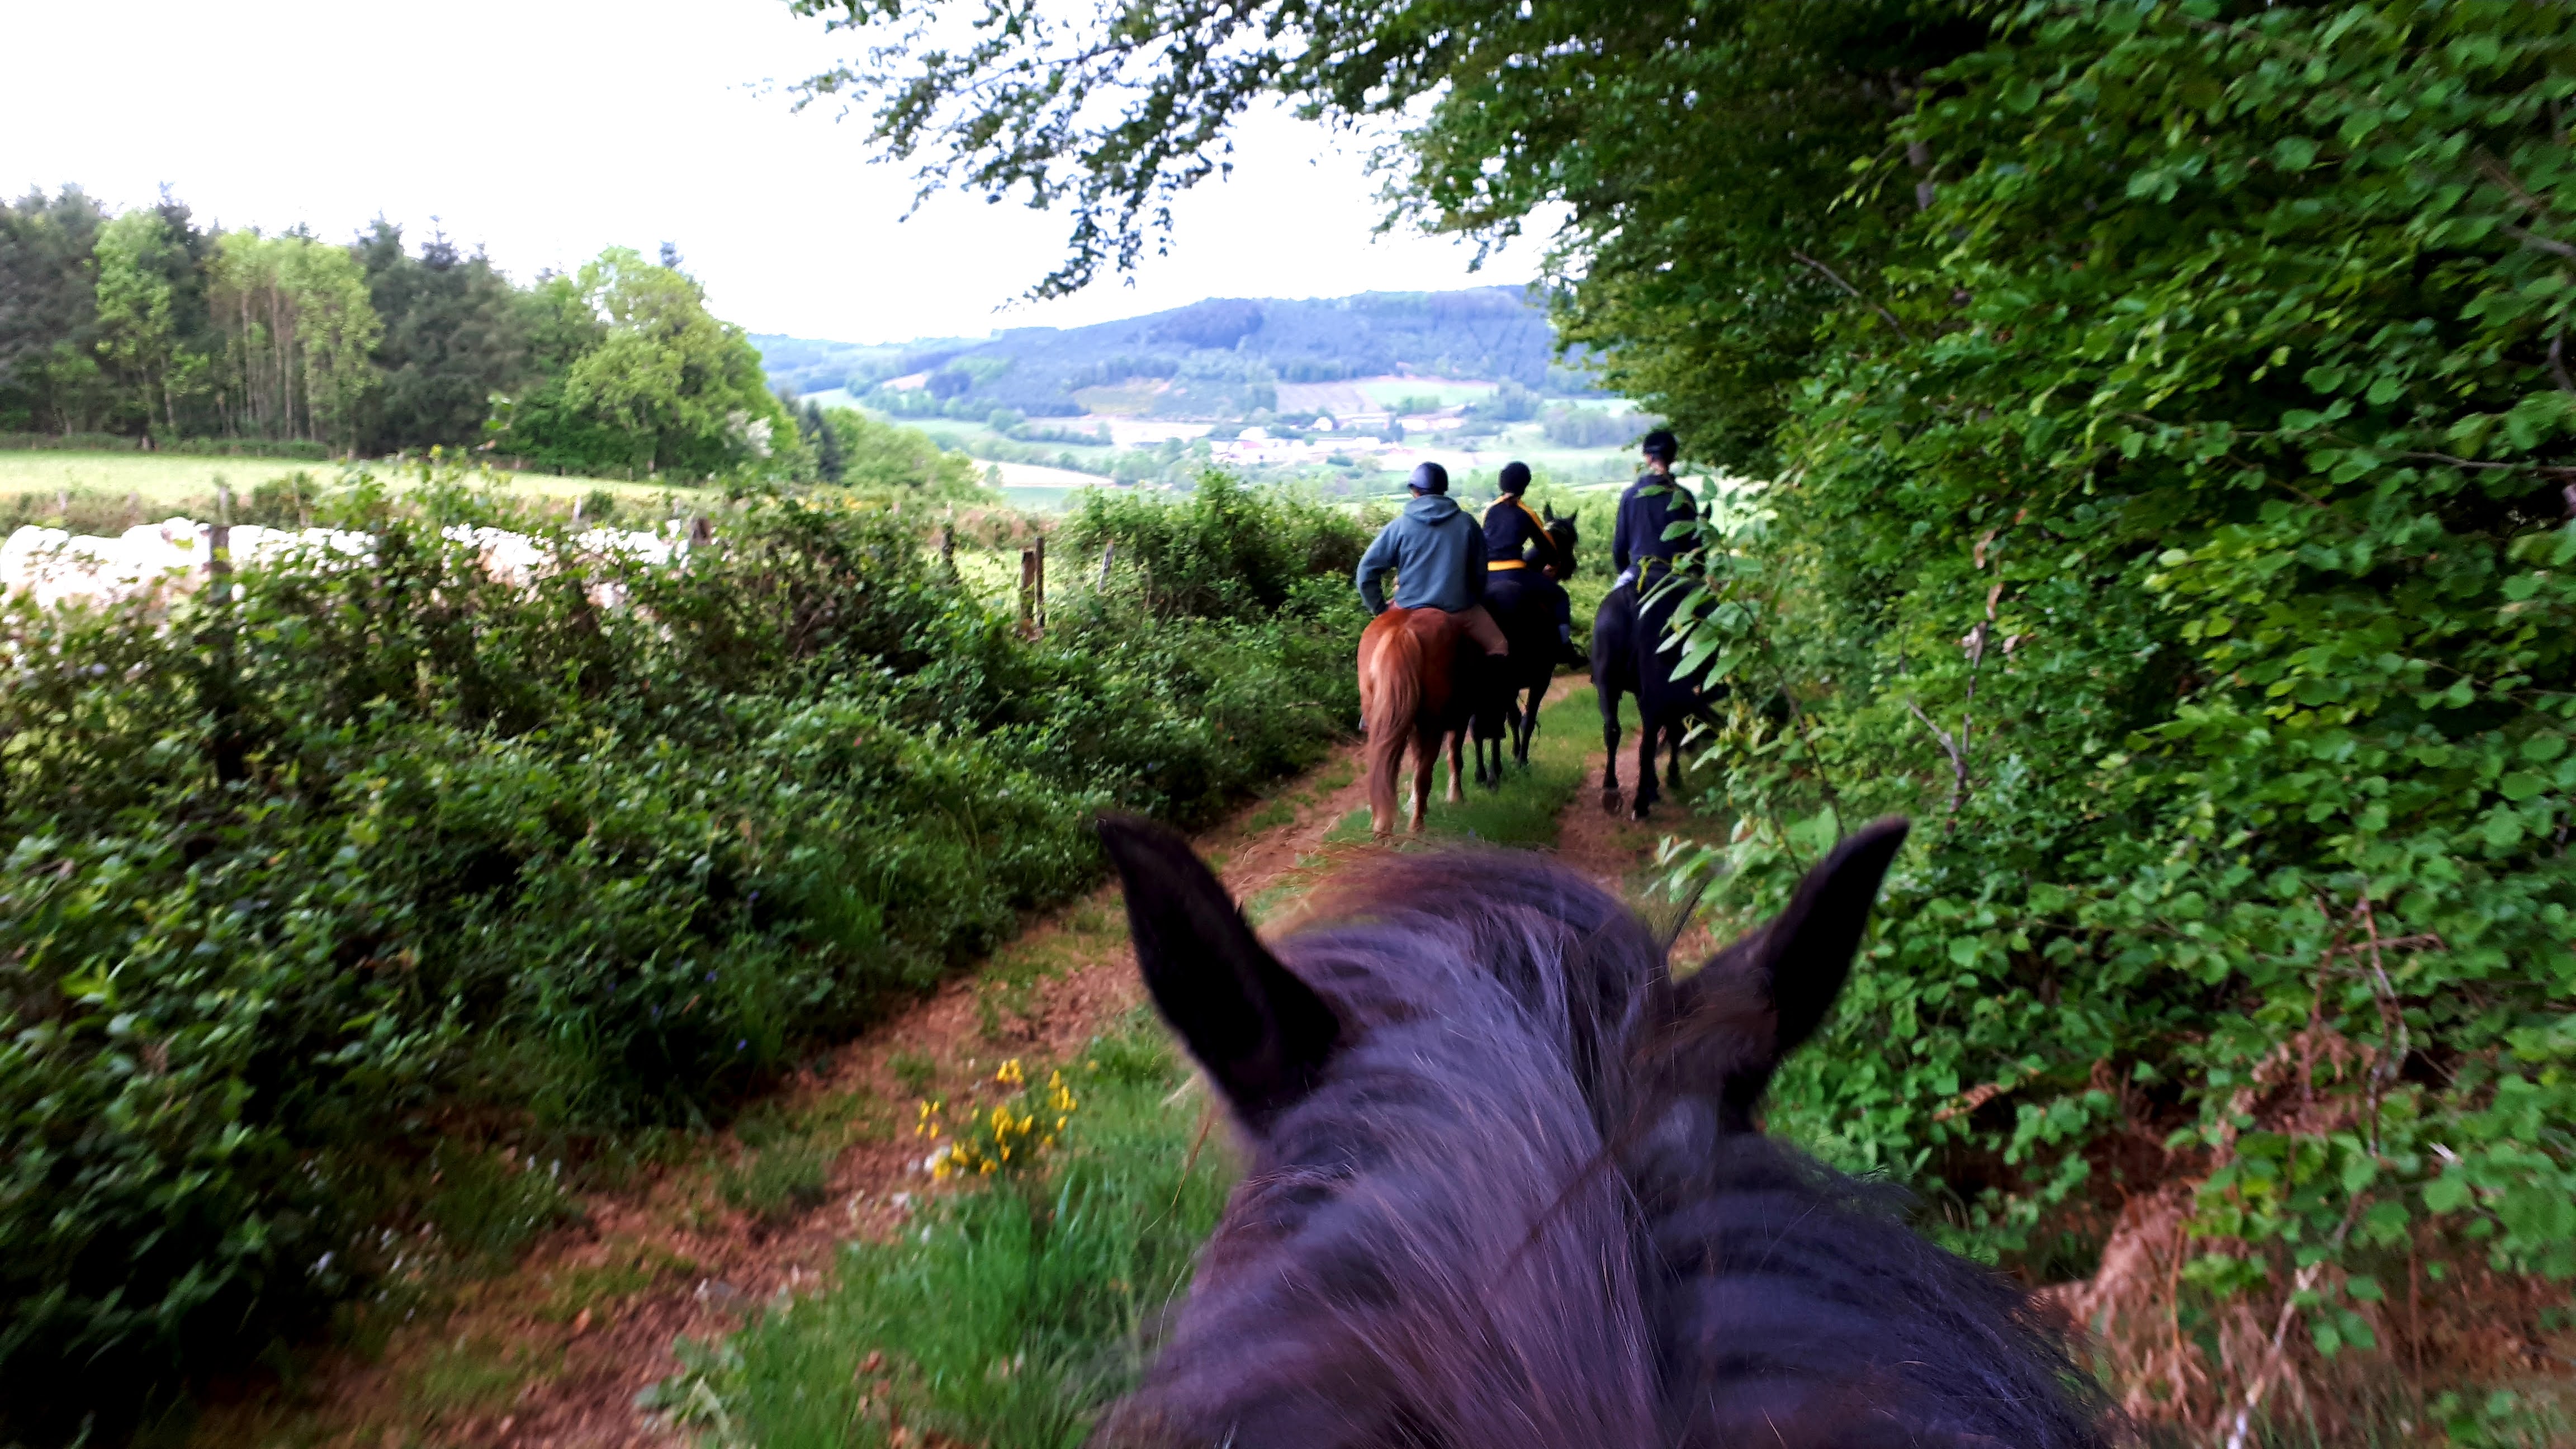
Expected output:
(1681, 159)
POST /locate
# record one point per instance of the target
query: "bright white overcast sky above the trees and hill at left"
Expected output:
(547, 130)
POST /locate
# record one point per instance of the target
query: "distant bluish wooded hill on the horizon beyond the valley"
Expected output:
(1220, 360)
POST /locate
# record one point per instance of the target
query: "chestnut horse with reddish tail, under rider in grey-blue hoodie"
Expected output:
(1418, 687)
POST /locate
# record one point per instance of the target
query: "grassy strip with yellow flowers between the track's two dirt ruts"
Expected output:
(1014, 1311)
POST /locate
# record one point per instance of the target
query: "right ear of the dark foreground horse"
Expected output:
(1794, 968)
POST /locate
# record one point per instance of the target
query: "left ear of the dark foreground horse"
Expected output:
(1261, 1033)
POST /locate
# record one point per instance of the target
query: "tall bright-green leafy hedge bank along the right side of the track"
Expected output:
(2186, 540)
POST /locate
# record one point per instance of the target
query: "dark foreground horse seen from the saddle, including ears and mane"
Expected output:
(1508, 1187)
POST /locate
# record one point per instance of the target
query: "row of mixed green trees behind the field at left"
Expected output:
(151, 329)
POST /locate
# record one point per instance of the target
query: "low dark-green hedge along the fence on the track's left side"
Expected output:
(380, 855)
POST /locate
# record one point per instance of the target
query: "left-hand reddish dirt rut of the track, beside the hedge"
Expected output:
(555, 1352)
